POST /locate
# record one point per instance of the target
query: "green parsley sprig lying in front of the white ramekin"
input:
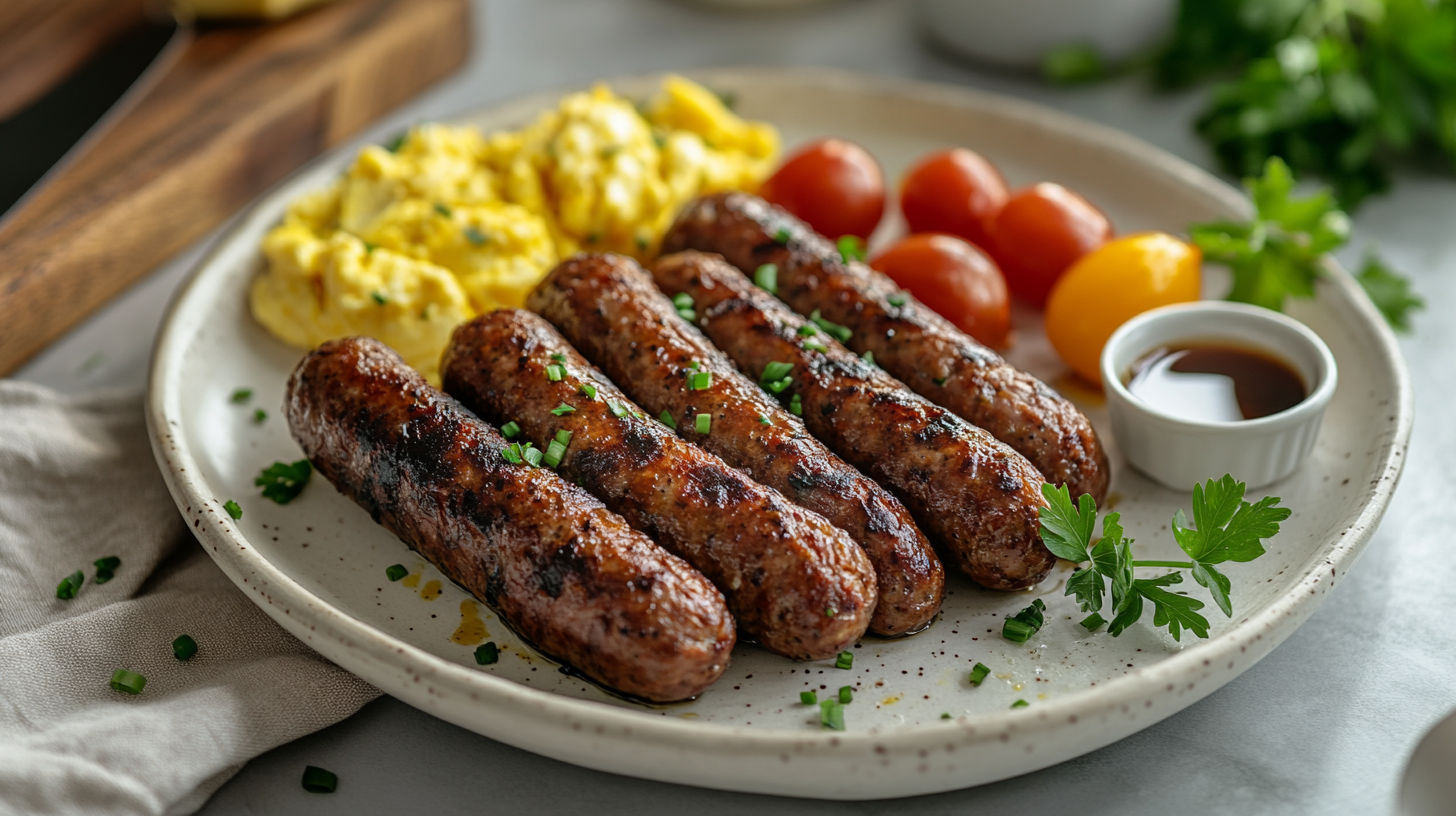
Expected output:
(1225, 528)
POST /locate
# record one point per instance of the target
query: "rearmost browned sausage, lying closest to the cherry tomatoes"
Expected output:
(915, 345)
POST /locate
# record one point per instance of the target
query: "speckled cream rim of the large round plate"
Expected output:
(850, 766)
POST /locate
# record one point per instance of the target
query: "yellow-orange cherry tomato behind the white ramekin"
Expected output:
(1113, 285)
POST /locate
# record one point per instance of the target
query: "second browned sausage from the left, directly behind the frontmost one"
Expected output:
(796, 584)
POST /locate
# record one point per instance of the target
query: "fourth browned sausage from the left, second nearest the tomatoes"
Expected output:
(972, 495)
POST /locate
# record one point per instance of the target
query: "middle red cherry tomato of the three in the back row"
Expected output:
(954, 192)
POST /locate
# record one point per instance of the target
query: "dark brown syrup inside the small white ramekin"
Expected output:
(1215, 382)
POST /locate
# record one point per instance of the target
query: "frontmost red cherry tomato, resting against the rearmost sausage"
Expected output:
(954, 279)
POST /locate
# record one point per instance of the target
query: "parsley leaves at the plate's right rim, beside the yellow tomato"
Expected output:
(1279, 253)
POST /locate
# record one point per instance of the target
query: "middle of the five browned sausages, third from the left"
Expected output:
(611, 311)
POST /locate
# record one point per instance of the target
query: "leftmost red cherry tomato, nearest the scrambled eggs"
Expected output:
(834, 186)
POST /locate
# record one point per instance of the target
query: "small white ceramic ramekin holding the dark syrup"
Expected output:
(1182, 454)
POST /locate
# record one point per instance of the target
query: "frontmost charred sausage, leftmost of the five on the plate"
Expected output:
(567, 573)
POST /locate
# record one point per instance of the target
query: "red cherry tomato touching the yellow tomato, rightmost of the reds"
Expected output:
(1040, 234)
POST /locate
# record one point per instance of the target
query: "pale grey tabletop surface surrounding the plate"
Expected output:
(1324, 725)
